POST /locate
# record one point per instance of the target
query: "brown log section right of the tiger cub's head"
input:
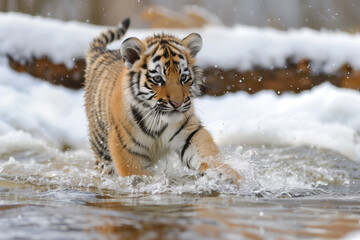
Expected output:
(295, 77)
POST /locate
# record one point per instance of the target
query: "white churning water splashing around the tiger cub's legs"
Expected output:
(267, 171)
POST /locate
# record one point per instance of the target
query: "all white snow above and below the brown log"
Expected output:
(36, 113)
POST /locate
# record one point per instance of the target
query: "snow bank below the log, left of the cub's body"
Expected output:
(54, 114)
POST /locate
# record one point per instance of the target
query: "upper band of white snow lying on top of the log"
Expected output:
(238, 47)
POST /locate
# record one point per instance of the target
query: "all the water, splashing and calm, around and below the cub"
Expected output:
(287, 193)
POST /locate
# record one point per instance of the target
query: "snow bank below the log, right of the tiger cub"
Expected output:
(326, 117)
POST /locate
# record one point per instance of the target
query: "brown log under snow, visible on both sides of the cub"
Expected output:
(295, 77)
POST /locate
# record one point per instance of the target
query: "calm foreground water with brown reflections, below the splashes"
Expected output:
(84, 215)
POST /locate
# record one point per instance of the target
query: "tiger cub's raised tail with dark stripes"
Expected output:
(98, 45)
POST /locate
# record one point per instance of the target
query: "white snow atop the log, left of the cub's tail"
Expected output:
(23, 36)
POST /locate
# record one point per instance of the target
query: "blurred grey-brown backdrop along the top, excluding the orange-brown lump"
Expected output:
(280, 14)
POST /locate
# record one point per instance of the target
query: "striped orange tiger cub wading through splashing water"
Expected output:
(139, 103)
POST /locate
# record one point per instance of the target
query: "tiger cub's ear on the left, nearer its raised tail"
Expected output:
(131, 50)
